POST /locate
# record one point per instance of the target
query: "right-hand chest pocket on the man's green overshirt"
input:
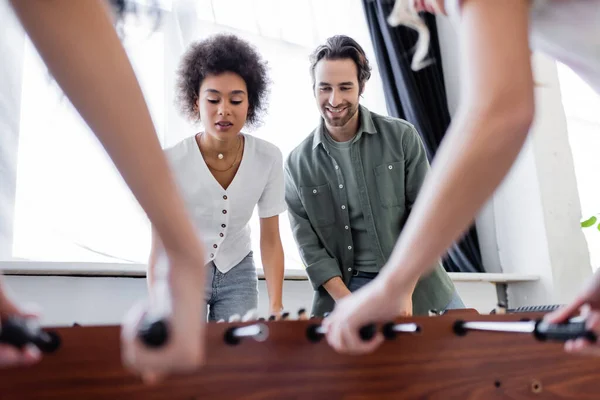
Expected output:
(389, 178)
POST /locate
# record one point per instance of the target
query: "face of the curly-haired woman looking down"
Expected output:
(223, 104)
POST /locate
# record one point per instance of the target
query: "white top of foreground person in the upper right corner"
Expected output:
(566, 30)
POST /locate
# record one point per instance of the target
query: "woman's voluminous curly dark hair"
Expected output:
(216, 55)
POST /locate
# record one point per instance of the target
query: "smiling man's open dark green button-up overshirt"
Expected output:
(389, 164)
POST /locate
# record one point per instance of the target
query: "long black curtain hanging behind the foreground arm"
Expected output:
(420, 98)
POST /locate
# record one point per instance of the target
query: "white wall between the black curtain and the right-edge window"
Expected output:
(531, 225)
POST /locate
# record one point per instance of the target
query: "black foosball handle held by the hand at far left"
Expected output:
(19, 332)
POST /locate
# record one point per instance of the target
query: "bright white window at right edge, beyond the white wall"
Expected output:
(582, 105)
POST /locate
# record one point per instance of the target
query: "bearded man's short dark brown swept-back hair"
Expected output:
(340, 47)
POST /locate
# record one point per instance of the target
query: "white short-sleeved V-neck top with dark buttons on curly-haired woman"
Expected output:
(222, 215)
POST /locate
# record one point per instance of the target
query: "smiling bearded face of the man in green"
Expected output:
(337, 90)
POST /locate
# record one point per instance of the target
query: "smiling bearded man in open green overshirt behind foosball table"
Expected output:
(351, 184)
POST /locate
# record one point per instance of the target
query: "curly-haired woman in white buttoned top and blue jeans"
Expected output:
(224, 173)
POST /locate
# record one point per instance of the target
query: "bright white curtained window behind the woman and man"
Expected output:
(69, 205)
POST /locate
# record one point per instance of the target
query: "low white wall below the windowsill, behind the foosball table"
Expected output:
(64, 300)
